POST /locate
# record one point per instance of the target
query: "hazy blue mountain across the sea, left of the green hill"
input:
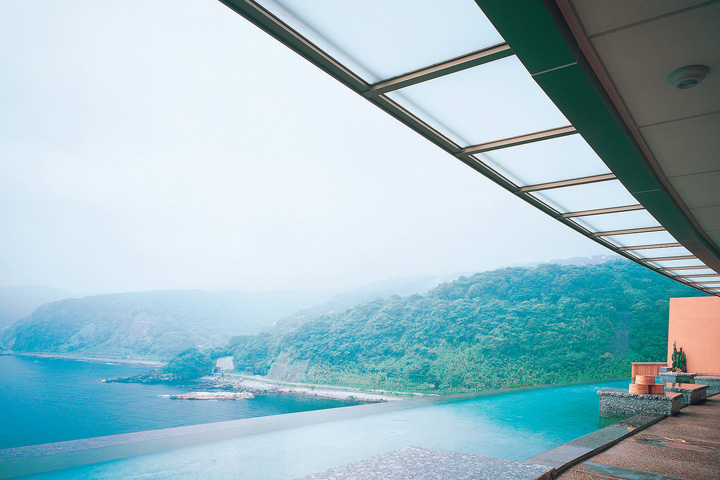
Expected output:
(158, 324)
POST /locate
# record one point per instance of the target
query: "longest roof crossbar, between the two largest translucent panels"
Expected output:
(439, 69)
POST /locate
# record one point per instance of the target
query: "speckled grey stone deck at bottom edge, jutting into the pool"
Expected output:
(418, 463)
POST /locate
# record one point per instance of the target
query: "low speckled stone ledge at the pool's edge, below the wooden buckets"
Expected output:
(618, 402)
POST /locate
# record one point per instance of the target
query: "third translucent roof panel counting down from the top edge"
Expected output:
(546, 161)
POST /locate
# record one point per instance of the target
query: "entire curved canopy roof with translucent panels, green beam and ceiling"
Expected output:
(565, 104)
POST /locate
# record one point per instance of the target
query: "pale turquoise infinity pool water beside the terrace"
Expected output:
(513, 426)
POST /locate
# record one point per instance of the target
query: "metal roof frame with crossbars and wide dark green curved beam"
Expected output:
(536, 33)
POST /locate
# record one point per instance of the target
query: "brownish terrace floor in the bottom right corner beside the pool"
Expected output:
(683, 447)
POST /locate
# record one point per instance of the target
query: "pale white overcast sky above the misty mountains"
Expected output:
(173, 145)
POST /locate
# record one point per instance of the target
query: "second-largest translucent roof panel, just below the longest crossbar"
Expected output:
(489, 102)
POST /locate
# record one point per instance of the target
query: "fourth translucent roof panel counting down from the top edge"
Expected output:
(590, 196)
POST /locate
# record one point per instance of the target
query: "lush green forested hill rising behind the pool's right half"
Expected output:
(548, 324)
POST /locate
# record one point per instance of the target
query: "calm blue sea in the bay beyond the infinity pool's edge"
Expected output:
(49, 400)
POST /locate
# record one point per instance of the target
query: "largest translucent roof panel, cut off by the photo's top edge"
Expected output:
(380, 39)
